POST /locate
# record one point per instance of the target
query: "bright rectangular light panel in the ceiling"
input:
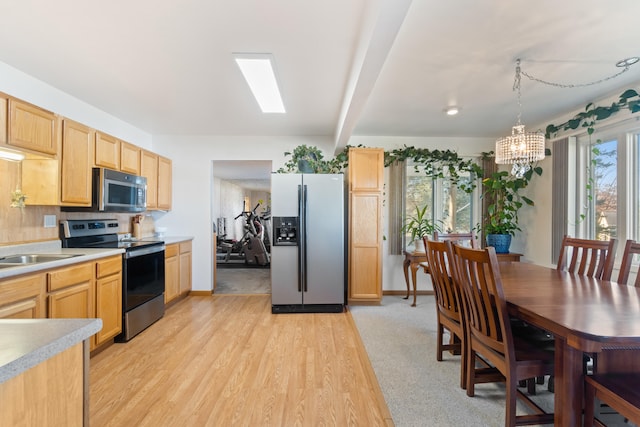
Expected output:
(257, 69)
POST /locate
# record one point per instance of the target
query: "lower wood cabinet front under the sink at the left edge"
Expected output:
(23, 297)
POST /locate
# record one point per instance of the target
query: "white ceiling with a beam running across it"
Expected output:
(356, 67)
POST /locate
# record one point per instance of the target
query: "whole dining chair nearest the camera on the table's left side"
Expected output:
(489, 332)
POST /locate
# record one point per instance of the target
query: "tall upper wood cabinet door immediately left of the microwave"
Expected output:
(77, 160)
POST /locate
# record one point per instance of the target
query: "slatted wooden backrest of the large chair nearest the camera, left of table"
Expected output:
(477, 273)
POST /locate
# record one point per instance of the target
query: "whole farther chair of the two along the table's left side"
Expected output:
(448, 304)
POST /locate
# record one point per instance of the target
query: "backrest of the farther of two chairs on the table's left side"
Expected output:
(446, 290)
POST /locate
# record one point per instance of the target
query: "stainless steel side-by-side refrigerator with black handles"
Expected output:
(308, 243)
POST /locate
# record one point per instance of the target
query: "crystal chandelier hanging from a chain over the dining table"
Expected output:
(521, 148)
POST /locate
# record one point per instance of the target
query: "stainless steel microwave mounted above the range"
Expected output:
(114, 191)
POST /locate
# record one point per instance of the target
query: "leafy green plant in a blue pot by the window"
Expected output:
(501, 220)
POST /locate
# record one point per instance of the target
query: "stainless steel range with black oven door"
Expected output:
(142, 270)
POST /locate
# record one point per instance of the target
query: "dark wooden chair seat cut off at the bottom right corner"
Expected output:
(619, 391)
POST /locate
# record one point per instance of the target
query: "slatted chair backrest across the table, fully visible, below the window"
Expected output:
(592, 258)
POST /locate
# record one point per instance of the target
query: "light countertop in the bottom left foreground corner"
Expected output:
(24, 343)
